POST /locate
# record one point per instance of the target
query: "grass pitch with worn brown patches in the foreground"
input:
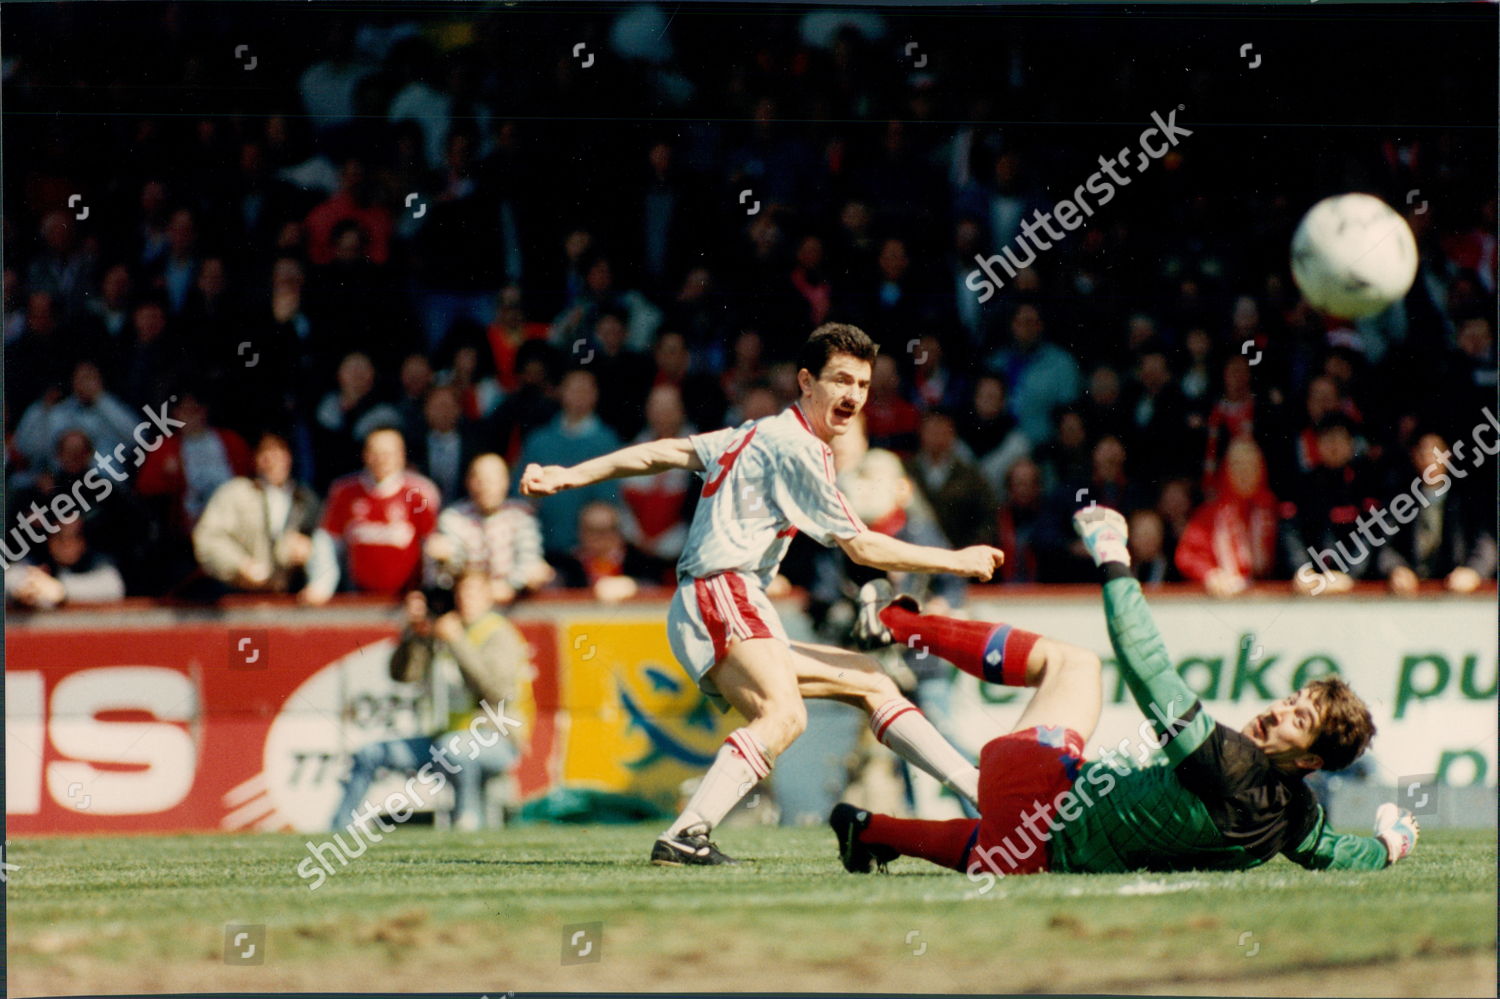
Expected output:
(430, 911)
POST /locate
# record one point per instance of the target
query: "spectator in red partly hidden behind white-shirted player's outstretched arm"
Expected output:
(662, 505)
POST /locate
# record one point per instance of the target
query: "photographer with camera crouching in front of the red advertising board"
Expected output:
(466, 659)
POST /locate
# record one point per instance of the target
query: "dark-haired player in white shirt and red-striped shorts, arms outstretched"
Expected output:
(763, 484)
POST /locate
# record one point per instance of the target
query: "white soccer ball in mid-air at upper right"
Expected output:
(1354, 256)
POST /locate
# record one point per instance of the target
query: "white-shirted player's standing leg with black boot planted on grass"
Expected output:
(757, 679)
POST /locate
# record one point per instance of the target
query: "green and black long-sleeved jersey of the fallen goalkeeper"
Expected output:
(1214, 803)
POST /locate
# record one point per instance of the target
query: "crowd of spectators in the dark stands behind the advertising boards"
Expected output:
(362, 307)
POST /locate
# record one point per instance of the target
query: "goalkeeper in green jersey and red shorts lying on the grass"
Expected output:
(1223, 800)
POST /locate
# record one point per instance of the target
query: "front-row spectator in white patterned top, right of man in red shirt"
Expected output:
(484, 530)
